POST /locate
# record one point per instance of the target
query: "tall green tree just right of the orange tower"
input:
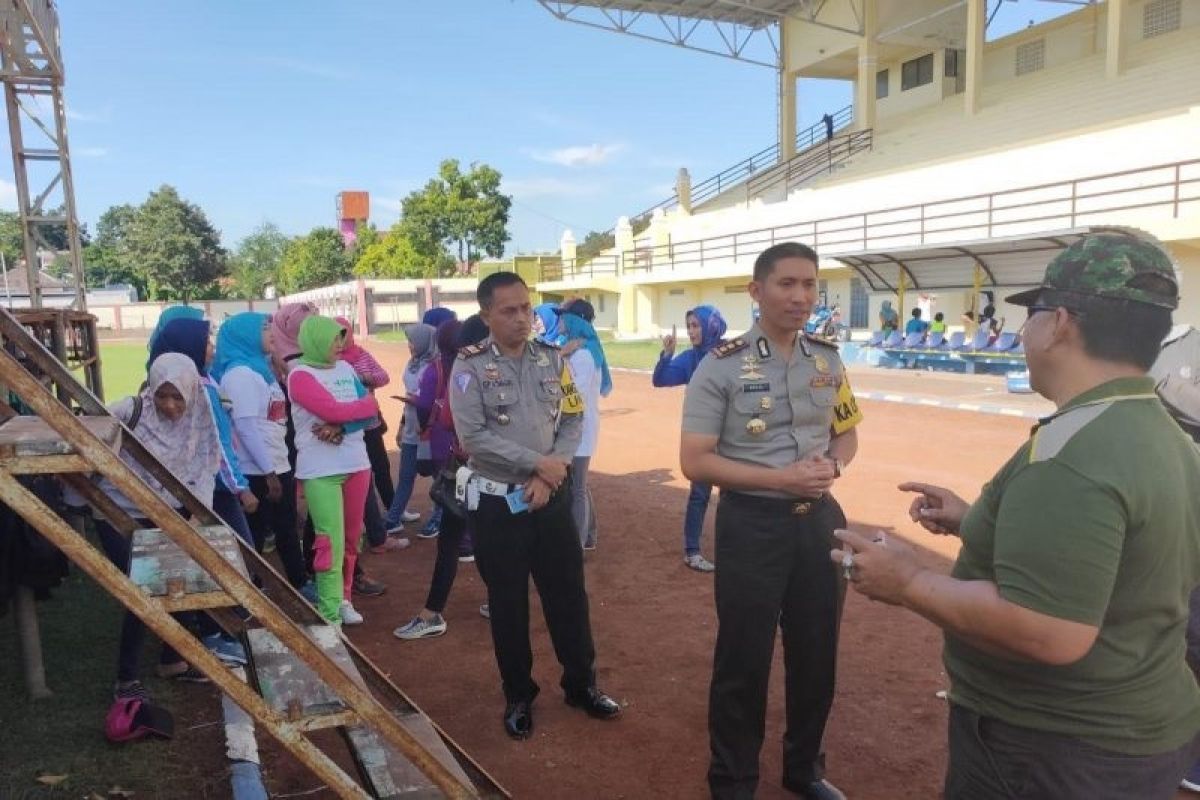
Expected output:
(465, 212)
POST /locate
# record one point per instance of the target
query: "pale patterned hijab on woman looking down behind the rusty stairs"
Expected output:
(189, 448)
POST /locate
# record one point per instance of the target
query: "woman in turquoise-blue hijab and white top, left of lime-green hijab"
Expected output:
(259, 410)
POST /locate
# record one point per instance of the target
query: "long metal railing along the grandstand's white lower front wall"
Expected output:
(1027, 210)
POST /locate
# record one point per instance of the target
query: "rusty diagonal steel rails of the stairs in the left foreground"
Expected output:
(109, 464)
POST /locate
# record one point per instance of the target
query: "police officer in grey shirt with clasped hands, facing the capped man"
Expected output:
(770, 419)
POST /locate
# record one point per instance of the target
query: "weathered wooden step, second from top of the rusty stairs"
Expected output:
(161, 568)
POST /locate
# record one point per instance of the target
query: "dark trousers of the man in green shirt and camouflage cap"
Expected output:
(995, 761)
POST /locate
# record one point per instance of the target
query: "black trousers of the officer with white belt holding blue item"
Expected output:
(511, 549)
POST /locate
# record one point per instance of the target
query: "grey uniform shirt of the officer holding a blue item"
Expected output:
(509, 413)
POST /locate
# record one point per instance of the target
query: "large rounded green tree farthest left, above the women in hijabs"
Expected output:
(175, 246)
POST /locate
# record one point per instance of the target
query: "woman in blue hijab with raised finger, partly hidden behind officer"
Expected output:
(706, 327)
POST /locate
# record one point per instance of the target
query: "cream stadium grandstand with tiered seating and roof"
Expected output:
(963, 166)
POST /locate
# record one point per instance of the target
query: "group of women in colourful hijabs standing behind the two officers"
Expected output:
(274, 423)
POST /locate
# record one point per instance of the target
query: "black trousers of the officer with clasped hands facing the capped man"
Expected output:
(773, 572)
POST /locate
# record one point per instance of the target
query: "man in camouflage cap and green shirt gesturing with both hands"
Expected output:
(1066, 611)
